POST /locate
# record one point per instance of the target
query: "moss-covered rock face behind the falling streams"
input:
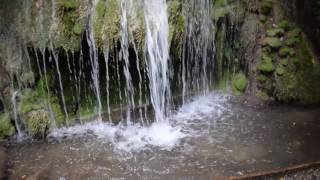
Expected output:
(260, 47)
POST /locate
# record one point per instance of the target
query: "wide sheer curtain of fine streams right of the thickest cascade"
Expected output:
(197, 48)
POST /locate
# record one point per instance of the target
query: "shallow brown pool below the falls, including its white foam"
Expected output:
(212, 136)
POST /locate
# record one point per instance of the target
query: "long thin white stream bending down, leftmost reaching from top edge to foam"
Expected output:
(94, 59)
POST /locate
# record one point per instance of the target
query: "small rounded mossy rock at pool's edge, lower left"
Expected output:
(38, 123)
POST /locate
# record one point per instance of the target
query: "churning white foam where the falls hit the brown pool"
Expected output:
(163, 135)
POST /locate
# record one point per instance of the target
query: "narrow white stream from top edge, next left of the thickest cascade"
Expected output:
(124, 55)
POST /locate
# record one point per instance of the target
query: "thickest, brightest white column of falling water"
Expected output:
(157, 31)
